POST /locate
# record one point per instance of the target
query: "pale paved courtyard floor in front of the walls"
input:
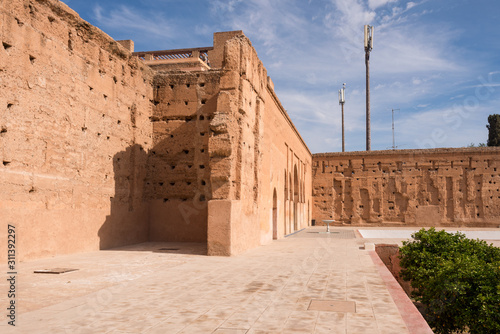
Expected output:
(310, 282)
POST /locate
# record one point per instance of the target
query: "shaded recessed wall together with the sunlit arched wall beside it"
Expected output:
(226, 150)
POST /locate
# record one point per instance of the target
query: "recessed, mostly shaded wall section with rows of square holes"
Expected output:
(178, 179)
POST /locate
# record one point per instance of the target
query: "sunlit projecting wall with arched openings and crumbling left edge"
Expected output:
(253, 149)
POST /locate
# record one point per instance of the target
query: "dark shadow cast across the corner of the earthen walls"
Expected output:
(161, 195)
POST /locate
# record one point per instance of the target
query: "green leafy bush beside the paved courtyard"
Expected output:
(457, 279)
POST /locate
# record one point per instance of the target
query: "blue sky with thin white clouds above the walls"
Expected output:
(437, 61)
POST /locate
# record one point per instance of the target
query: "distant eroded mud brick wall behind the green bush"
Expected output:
(438, 187)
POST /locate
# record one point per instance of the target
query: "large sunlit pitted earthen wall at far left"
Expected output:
(75, 129)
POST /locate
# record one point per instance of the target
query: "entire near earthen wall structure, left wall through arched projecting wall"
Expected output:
(102, 147)
